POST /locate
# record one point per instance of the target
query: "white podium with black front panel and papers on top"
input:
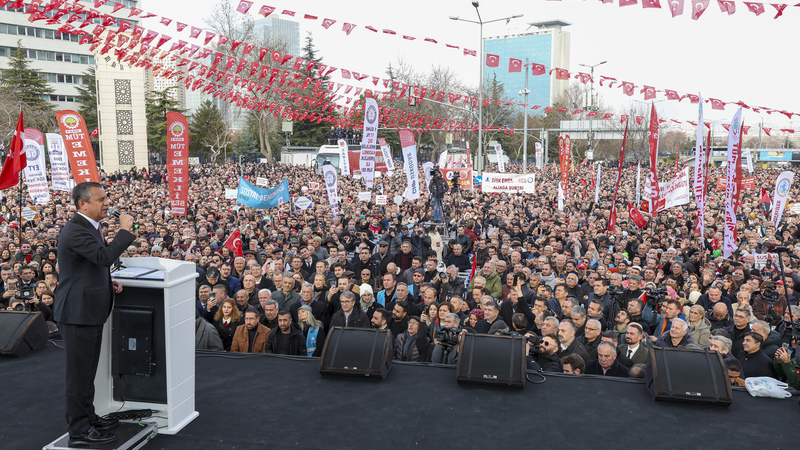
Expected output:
(147, 355)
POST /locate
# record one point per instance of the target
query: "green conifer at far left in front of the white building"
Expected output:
(29, 88)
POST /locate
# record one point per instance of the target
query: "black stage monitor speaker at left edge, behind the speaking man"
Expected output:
(22, 332)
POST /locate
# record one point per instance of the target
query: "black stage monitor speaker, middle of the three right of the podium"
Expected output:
(489, 359)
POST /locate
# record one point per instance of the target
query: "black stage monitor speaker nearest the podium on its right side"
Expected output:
(360, 352)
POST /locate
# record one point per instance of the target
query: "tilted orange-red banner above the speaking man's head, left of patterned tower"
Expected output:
(78, 147)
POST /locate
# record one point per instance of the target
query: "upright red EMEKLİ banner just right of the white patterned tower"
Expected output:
(177, 162)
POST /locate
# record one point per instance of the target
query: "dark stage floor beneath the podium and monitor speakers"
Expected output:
(263, 401)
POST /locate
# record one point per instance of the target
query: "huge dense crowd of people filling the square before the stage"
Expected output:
(590, 300)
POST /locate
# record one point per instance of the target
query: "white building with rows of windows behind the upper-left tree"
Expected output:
(59, 57)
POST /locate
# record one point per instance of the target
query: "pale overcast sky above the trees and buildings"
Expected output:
(739, 57)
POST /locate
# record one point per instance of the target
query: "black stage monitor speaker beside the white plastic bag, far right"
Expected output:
(694, 376)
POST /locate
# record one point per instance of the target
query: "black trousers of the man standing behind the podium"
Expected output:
(82, 343)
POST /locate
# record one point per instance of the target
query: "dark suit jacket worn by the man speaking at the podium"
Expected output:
(84, 295)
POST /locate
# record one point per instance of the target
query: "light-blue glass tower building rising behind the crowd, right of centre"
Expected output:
(548, 44)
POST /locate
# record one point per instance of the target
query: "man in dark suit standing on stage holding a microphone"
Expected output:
(83, 303)
